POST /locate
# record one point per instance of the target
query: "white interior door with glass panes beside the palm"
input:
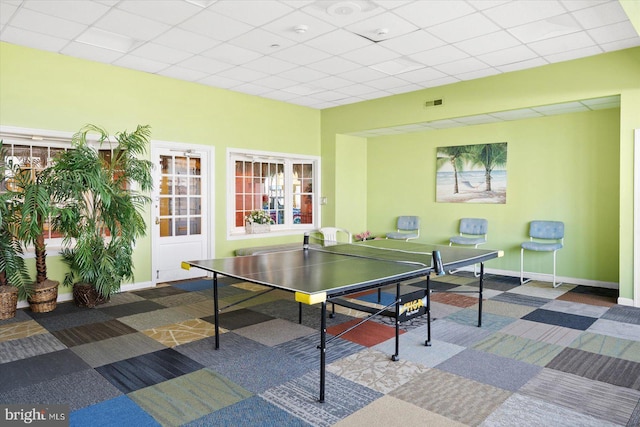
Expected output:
(181, 210)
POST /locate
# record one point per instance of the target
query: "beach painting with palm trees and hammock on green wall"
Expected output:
(472, 173)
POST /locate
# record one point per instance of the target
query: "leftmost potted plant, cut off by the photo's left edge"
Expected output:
(13, 272)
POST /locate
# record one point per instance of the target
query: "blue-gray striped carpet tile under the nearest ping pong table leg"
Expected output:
(300, 398)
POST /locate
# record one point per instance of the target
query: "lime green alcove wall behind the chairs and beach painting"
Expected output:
(559, 168)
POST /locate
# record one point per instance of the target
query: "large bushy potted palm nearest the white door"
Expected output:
(100, 196)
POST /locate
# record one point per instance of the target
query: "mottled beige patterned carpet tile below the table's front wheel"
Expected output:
(376, 370)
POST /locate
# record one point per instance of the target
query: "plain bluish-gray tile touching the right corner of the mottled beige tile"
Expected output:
(480, 366)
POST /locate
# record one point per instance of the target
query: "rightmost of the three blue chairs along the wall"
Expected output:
(544, 236)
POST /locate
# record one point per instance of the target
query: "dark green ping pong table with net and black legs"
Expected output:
(321, 275)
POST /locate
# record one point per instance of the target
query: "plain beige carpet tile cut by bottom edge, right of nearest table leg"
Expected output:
(389, 411)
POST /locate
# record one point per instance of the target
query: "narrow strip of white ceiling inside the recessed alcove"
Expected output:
(499, 116)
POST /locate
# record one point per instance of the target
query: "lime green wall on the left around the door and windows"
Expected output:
(43, 90)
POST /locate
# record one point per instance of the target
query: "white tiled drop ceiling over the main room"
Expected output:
(321, 53)
